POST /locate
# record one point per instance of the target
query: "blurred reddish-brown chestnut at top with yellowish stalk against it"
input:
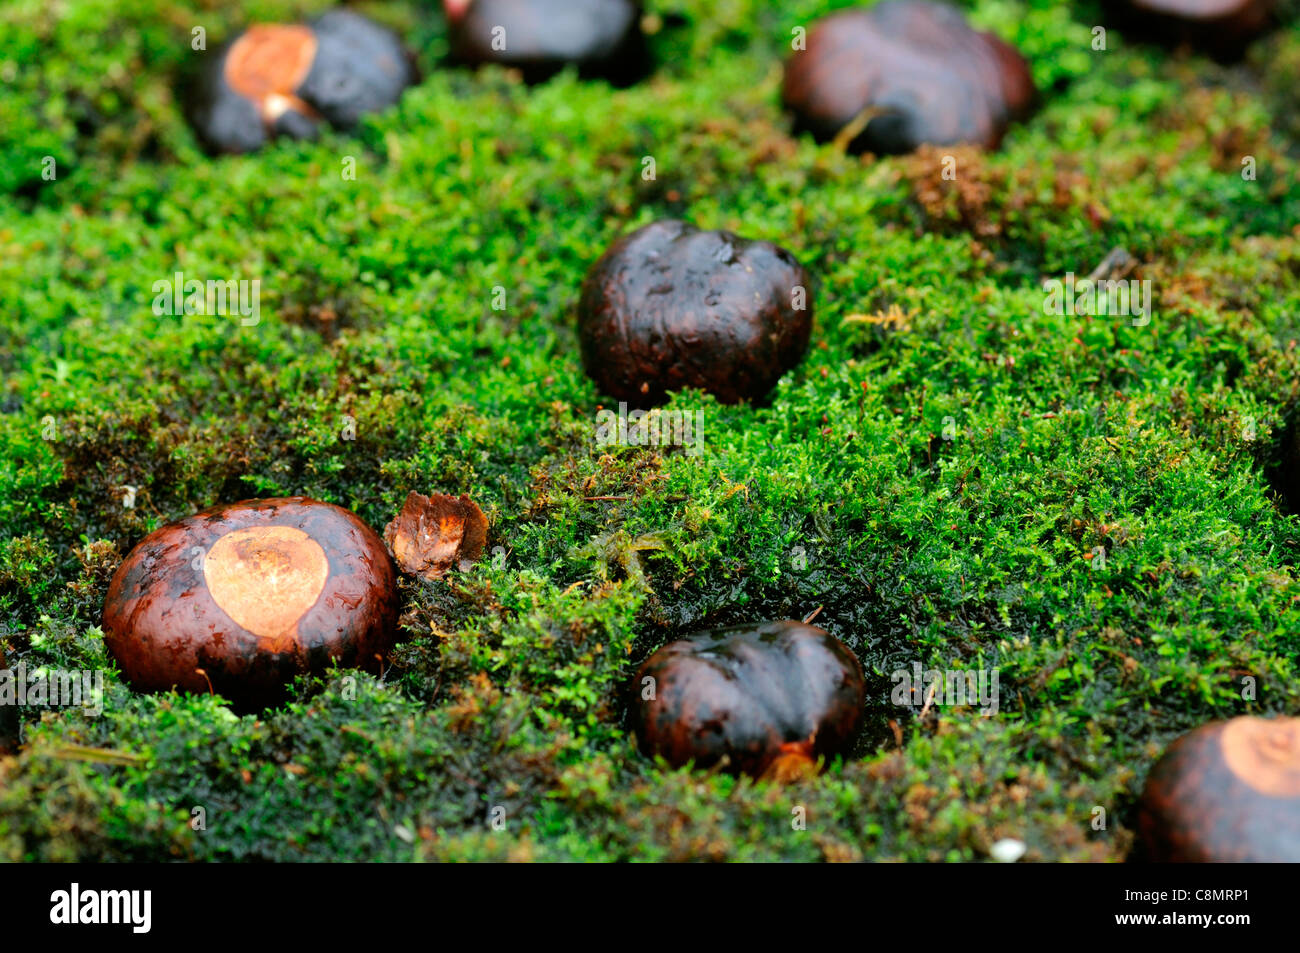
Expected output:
(904, 73)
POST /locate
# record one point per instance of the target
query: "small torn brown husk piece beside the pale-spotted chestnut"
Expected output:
(436, 534)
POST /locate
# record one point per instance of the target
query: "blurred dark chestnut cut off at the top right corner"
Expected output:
(1223, 28)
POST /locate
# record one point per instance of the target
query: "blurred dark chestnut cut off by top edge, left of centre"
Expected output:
(601, 38)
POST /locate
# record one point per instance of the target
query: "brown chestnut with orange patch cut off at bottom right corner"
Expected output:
(1227, 792)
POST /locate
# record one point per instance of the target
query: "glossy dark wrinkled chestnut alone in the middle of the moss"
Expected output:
(670, 306)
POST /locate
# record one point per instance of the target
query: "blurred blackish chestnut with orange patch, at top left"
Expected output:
(287, 80)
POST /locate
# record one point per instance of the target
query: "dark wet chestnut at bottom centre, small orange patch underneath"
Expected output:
(749, 694)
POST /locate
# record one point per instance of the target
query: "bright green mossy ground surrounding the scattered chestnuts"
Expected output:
(1168, 444)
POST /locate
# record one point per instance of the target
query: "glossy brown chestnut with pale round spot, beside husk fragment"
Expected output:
(254, 595)
